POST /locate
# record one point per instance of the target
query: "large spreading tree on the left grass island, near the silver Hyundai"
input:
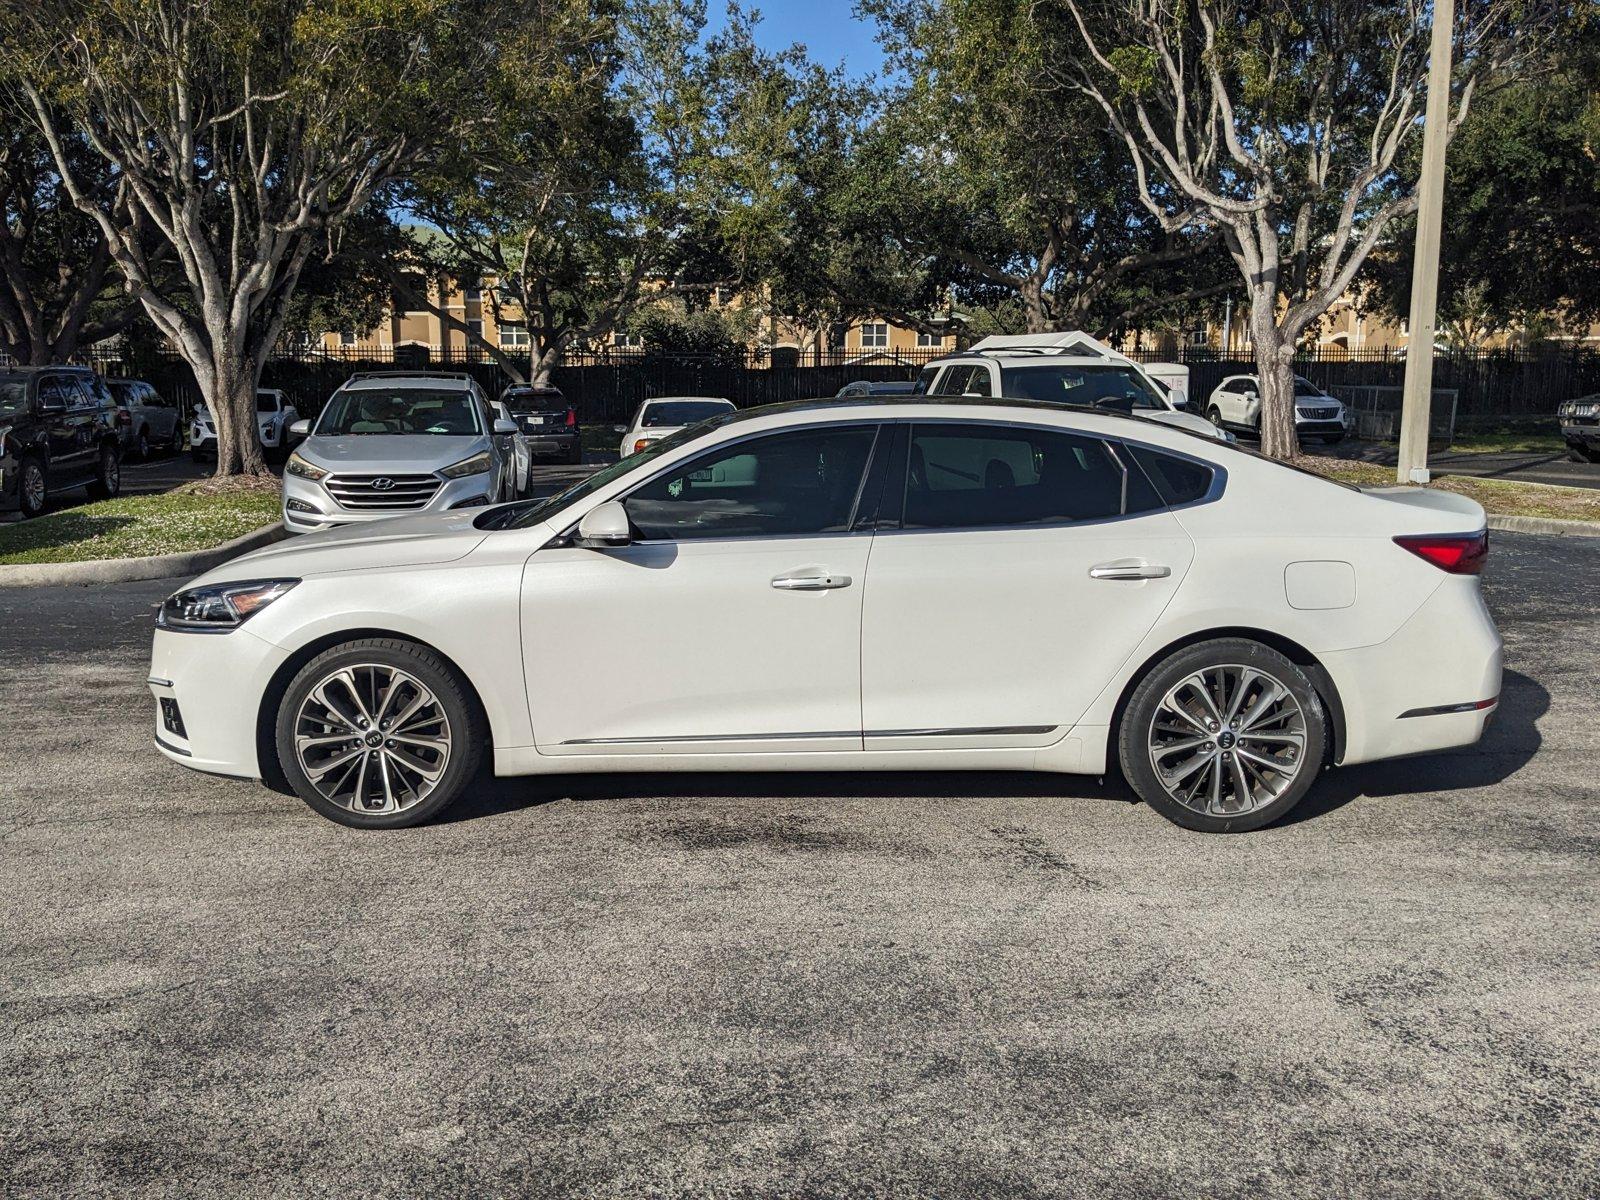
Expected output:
(241, 134)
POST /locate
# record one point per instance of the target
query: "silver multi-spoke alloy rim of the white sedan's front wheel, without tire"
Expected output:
(372, 740)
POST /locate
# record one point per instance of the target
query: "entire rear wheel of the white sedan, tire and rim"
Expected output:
(1223, 737)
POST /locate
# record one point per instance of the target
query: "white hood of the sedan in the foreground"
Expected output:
(396, 542)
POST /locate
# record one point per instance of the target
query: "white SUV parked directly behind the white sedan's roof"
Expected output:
(1063, 369)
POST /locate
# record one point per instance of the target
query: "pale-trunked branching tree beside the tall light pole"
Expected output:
(1282, 129)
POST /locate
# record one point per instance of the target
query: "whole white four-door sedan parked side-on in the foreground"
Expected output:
(855, 586)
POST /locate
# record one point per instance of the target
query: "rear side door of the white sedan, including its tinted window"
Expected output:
(1026, 567)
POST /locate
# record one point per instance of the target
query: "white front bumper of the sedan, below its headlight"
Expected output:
(204, 678)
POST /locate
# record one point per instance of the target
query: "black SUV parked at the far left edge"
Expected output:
(58, 430)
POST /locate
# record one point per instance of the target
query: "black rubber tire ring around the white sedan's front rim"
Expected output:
(465, 726)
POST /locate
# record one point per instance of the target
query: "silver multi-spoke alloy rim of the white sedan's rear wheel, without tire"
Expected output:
(1228, 740)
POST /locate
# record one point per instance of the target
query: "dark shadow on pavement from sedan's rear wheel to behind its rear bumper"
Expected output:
(1511, 740)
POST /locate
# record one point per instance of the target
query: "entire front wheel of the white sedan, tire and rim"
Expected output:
(380, 734)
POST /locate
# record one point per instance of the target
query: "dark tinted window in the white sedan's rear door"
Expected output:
(970, 476)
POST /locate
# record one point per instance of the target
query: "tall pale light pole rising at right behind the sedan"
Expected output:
(1418, 396)
